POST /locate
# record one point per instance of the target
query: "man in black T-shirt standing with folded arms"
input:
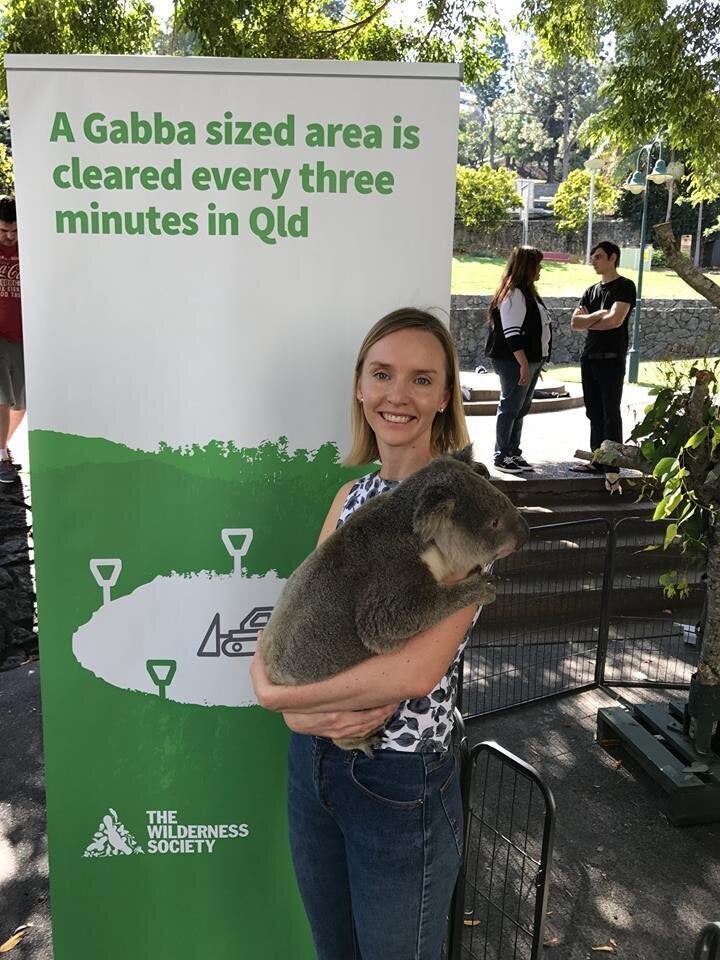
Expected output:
(604, 312)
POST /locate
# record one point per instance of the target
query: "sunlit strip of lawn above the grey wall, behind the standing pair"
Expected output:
(481, 275)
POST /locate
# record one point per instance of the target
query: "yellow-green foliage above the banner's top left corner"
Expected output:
(76, 26)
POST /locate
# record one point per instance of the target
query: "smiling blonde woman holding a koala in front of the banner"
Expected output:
(377, 842)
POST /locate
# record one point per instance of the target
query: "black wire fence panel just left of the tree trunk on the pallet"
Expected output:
(652, 639)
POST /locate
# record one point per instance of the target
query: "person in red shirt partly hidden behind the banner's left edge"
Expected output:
(12, 364)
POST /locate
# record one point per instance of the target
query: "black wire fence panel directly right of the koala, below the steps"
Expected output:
(542, 634)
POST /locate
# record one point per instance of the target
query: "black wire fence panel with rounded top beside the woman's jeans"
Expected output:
(501, 898)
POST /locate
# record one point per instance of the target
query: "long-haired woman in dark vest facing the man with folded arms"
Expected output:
(518, 344)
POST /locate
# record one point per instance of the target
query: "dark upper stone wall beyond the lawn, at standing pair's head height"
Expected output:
(542, 234)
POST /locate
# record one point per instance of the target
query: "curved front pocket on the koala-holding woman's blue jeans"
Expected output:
(395, 781)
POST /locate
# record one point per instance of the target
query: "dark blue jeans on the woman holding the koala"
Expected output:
(376, 845)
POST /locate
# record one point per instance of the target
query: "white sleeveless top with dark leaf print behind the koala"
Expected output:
(423, 725)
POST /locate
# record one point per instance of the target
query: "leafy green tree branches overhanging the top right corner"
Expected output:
(665, 77)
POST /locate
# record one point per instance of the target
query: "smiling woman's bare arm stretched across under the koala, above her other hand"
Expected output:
(412, 671)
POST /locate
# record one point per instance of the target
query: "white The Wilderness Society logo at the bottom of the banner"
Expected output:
(164, 835)
